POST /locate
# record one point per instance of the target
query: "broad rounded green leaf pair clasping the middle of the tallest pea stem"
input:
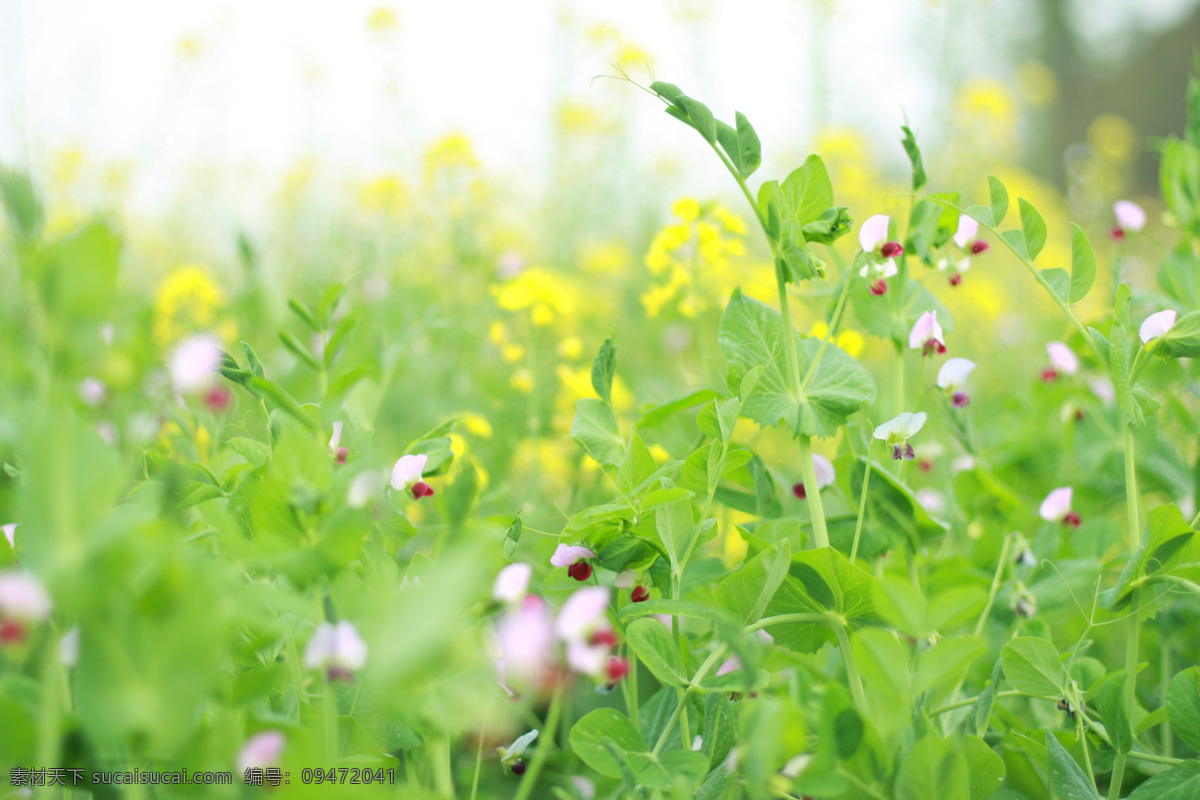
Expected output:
(751, 338)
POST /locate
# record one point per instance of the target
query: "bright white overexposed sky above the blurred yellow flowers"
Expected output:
(281, 79)
